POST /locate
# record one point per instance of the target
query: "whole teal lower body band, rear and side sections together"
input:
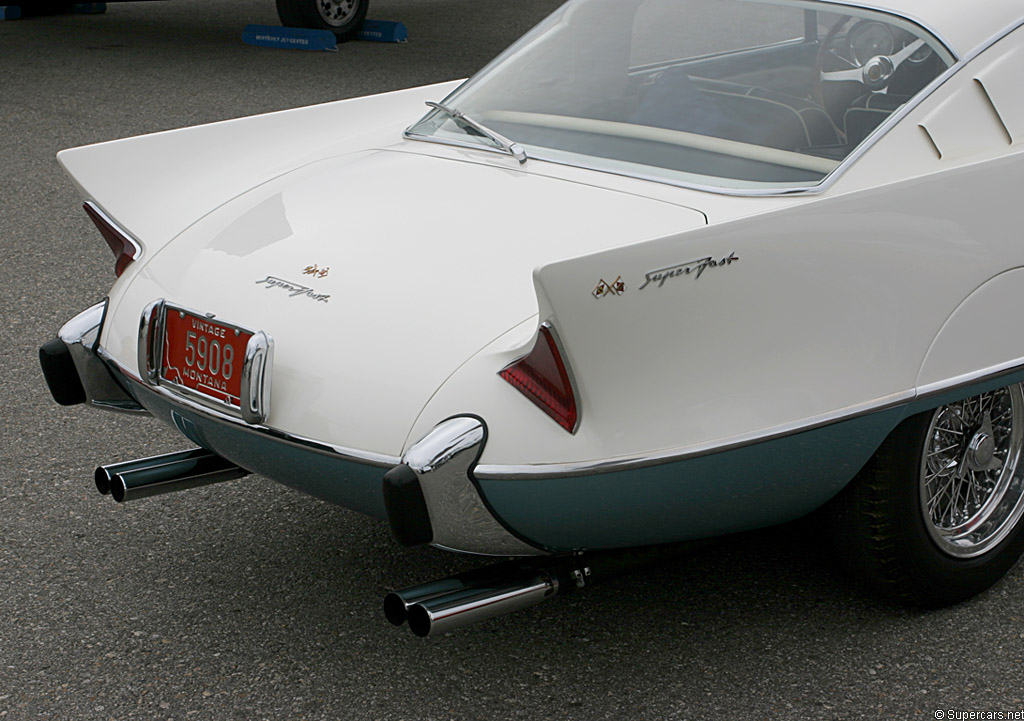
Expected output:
(742, 489)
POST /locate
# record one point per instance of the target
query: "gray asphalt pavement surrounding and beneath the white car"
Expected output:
(251, 602)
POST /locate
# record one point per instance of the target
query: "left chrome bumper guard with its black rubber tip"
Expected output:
(75, 374)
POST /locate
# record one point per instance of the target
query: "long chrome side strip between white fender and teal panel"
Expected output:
(563, 471)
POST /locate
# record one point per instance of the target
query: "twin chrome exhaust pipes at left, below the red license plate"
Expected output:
(163, 475)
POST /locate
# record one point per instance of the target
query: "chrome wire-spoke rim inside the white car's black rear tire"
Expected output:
(971, 496)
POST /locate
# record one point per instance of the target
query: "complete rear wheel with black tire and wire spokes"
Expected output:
(937, 515)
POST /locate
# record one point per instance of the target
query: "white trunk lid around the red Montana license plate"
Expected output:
(411, 296)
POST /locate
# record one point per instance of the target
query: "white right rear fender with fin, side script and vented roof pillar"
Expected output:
(831, 311)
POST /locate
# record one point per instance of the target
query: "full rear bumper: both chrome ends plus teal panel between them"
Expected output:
(430, 496)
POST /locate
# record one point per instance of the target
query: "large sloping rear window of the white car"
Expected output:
(745, 95)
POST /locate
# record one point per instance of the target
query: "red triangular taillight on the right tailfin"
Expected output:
(543, 378)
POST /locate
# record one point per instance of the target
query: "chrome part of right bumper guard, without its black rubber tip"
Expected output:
(444, 462)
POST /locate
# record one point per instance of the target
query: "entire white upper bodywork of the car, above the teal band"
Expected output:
(830, 309)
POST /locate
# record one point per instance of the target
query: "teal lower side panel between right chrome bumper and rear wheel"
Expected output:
(748, 488)
